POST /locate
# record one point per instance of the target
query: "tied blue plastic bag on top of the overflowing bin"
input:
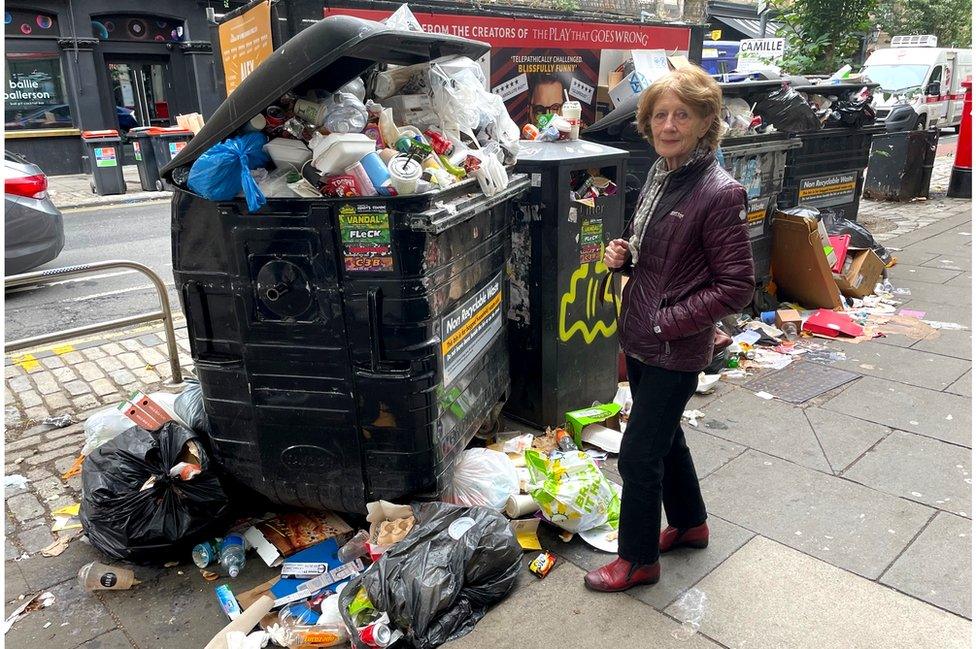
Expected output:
(224, 170)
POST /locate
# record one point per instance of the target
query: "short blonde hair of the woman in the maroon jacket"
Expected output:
(694, 87)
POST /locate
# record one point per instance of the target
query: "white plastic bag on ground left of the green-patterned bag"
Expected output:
(483, 477)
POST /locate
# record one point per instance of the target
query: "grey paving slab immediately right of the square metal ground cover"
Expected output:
(913, 366)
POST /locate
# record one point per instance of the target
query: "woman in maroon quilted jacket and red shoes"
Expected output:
(690, 264)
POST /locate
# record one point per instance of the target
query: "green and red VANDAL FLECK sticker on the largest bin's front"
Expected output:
(365, 233)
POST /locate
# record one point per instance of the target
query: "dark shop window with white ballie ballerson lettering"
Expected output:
(35, 95)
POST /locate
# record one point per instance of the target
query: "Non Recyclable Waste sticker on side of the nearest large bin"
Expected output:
(469, 329)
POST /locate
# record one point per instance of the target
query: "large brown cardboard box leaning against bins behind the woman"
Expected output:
(799, 266)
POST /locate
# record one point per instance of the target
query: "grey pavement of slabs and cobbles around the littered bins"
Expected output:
(845, 521)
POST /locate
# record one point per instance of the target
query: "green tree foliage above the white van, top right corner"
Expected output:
(950, 20)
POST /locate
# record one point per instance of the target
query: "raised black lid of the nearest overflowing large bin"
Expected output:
(327, 55)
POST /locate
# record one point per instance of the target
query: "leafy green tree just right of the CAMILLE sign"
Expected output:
(822, 35)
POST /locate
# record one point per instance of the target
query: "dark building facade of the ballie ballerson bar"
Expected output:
(101, 64)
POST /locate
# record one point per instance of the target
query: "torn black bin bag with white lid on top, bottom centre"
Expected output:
(439, 581)
